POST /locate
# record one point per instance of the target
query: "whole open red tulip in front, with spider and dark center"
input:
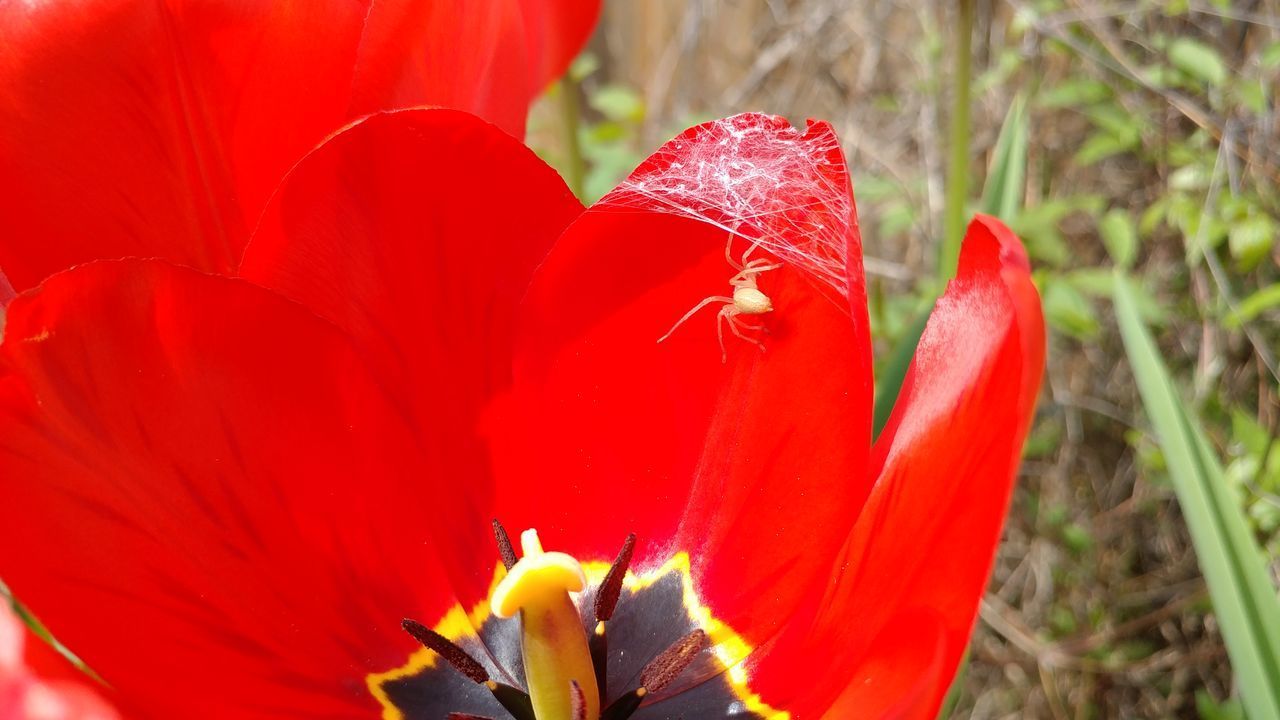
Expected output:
(234, 496)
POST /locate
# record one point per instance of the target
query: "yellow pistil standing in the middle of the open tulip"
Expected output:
(555, 645)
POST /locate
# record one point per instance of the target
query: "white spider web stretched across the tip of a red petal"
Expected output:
(760, 179)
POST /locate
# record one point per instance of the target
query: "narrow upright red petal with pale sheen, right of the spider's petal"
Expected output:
(925, 541)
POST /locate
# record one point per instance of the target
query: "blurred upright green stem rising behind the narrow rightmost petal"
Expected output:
(958, 172)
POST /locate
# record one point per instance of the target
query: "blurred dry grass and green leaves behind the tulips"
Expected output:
(1151, 140)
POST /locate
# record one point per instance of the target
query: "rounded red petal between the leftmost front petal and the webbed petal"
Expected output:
(417, 233)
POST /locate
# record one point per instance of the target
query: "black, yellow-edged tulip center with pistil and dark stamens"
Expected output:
(548, 626)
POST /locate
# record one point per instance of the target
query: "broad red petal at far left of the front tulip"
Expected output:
(209, 500)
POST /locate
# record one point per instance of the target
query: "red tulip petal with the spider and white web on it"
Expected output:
(755, 466)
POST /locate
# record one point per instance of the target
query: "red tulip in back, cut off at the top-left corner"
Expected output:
(161, 129)
